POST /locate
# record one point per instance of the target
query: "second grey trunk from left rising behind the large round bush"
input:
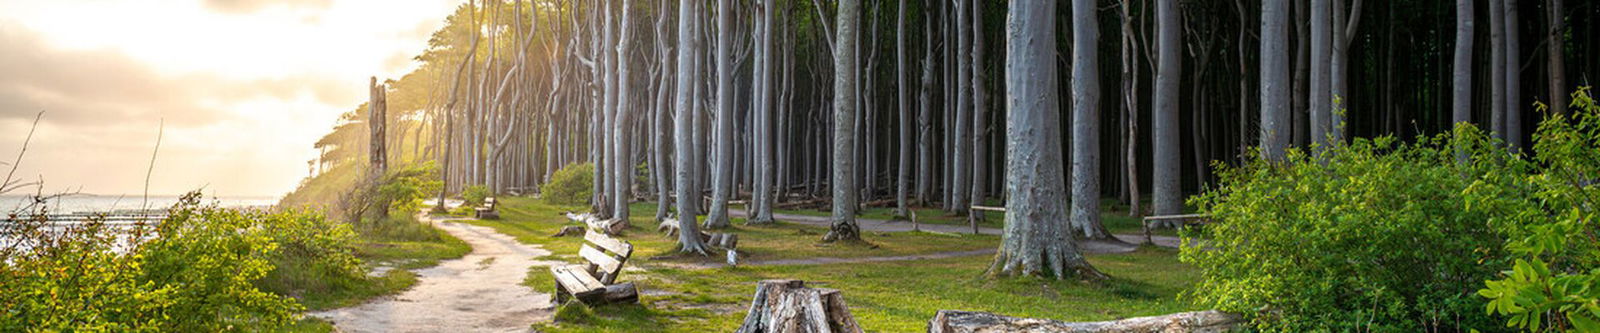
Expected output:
(1319, 95)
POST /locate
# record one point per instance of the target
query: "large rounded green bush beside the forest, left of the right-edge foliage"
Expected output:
(1370, 236)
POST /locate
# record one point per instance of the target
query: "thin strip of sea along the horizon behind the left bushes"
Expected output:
(110, 204)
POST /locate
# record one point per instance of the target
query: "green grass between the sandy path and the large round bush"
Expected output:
(884, 297)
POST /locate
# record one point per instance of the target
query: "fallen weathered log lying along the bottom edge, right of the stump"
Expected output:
(985, 323)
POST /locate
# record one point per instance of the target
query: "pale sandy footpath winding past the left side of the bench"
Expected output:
(481, 292)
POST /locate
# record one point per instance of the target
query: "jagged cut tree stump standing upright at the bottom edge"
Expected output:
(785, 307)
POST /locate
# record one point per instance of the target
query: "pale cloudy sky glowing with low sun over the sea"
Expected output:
(239, 90)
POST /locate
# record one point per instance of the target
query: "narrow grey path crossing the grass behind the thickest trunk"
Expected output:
(1126, 246)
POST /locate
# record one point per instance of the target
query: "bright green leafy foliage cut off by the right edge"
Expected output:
(1553, 235)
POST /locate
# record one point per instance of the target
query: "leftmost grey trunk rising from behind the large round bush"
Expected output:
(1274, 79)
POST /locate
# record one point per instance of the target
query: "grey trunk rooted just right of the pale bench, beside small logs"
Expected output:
(689, 76)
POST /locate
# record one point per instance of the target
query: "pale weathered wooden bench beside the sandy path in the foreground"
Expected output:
(594, 283)
